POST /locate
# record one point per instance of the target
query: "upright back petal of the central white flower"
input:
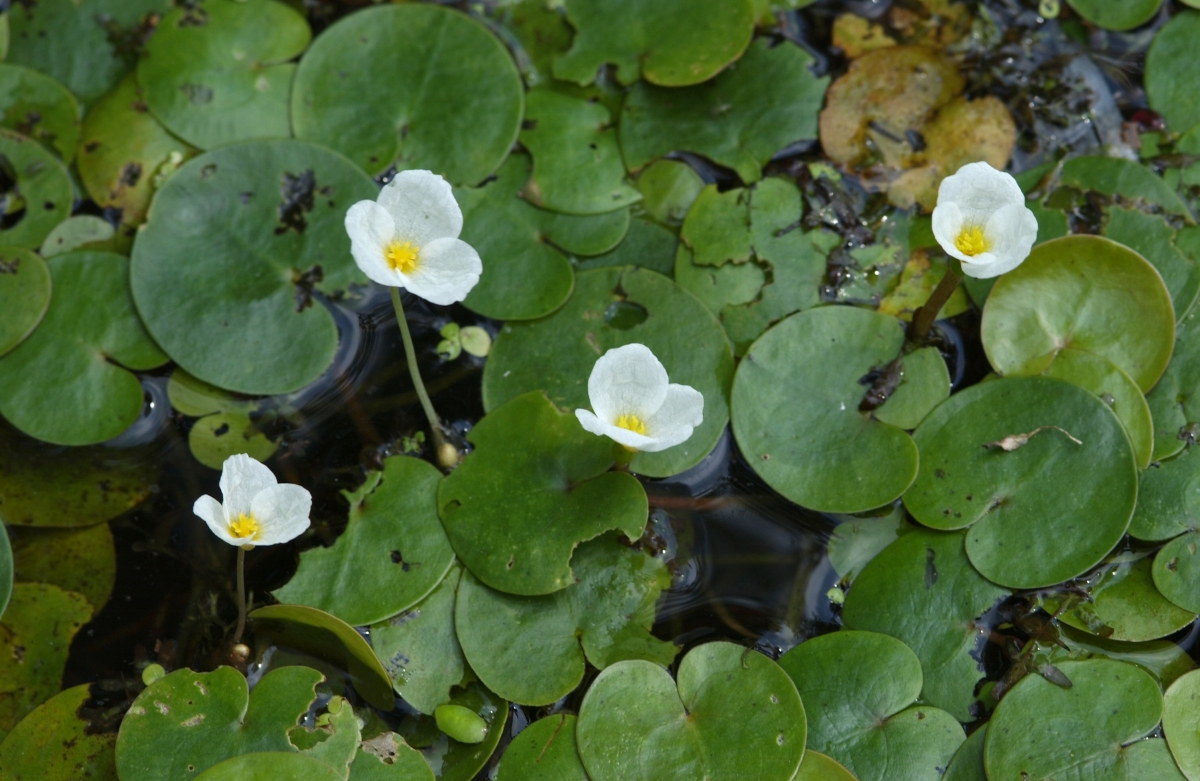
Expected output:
(627, 381)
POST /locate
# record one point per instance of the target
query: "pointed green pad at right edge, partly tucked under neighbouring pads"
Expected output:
(1124, 605)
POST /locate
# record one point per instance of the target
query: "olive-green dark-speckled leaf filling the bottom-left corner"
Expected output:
(55, 743)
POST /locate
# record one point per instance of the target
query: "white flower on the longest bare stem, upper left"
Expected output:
(409, 238)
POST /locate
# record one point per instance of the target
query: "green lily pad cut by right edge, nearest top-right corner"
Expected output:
(1171, 62)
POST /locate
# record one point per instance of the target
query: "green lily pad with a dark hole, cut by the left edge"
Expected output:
(43, 196)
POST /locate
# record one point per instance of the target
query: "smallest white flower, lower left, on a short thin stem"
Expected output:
(259, 509)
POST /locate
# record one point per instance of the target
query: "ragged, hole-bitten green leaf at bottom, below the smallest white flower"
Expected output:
(187, 723)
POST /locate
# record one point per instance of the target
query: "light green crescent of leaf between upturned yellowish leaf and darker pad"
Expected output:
(1106, 381)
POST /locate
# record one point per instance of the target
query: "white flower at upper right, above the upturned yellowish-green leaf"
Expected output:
(981, 219)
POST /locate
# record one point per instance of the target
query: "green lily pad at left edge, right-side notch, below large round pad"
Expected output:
(69, 382)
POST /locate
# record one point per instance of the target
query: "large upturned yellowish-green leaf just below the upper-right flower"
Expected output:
(1081, 292)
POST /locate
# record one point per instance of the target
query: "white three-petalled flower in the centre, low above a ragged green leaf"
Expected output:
(634, 404)
